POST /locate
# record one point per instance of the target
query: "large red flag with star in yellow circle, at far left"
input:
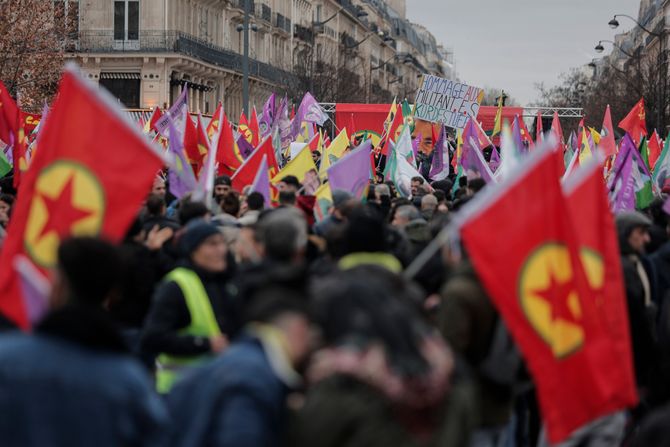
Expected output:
(89, 177)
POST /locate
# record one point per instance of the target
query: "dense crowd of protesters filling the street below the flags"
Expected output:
(239, 324)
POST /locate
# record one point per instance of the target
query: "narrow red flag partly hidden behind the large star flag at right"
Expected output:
(587, 200)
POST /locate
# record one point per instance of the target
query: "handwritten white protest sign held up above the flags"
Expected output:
(443, 101)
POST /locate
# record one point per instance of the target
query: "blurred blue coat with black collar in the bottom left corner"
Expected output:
(73, 383)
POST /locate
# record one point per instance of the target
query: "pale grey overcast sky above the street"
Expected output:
(512, 44)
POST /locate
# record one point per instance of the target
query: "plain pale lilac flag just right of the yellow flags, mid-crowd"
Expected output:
(352, 172)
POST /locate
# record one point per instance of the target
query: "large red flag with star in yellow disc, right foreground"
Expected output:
(535, 278)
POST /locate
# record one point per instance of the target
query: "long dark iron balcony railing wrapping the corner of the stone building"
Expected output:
(181, 43)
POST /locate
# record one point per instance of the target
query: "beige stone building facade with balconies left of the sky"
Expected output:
(146, 51)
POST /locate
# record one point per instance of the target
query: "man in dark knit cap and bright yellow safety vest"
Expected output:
(193, 312)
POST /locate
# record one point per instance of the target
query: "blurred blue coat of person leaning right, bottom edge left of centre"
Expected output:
(236, 400)
